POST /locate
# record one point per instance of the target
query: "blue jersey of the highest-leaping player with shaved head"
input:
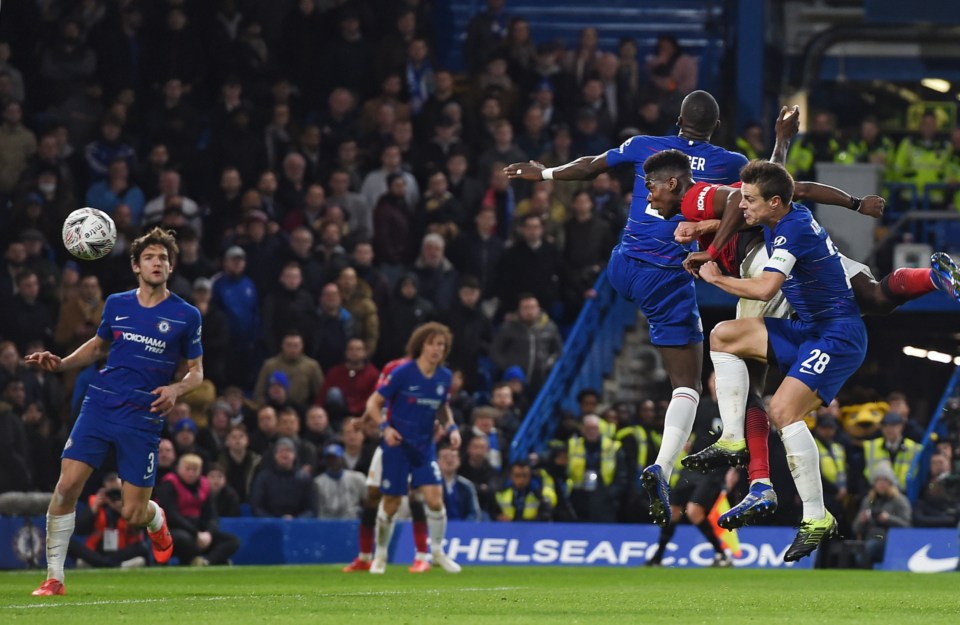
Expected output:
(648, 236)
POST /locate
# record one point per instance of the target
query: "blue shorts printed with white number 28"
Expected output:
(821, 355)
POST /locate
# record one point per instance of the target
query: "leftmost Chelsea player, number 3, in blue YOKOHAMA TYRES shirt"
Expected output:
(145, 334)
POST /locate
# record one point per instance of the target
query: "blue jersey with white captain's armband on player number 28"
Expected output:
(816, 286)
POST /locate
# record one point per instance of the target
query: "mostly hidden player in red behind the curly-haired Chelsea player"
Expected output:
(368, 518)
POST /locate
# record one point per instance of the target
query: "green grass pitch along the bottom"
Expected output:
(500, 595)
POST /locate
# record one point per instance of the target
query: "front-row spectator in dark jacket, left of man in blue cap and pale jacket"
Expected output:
(282, 491)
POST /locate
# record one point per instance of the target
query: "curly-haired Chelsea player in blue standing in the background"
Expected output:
(415, 394)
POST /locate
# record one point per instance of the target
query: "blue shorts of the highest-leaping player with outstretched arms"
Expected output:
(666, 297)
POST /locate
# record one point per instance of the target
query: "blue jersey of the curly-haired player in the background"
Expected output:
(413, 401)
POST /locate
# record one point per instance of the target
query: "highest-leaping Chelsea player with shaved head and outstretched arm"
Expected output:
(647, 268)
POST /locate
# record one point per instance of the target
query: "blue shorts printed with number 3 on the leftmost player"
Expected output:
(136, 448)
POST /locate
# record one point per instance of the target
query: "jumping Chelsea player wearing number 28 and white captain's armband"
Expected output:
(817, 351)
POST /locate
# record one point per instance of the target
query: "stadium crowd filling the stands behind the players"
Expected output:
(332, 187)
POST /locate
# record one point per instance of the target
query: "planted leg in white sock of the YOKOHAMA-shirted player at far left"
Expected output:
(61, 518)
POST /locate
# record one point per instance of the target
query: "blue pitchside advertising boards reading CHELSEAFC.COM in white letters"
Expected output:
(310, 541)
